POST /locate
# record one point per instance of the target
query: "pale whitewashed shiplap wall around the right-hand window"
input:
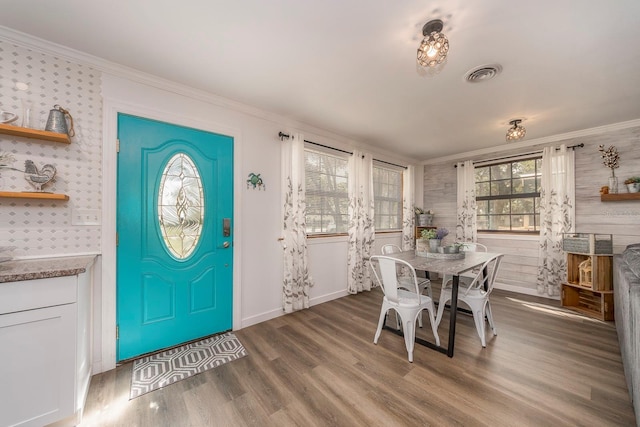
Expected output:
(519, 267)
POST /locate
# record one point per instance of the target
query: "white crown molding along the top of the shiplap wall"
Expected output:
(535, 142)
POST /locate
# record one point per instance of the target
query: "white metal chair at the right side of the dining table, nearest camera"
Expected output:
(475, 295)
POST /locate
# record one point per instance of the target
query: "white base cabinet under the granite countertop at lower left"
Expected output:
(45, 359)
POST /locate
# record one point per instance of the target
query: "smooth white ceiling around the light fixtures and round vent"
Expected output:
(348, 66)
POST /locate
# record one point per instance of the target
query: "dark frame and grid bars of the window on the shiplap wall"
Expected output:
(510, 197)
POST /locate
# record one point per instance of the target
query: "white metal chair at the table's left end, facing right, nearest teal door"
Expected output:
(408, 305)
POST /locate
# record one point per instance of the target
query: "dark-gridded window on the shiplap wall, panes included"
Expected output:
(508, 196)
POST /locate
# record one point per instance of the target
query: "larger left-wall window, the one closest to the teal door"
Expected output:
(327, 192)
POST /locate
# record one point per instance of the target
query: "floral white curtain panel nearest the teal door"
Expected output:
(296, 283)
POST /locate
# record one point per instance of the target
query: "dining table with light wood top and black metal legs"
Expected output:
(444, 265)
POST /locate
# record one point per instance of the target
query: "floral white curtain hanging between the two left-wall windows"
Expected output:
(361, 226)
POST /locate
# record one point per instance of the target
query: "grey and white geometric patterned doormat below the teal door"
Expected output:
(170, 366)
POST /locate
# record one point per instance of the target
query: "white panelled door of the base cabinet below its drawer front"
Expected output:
(37, 365)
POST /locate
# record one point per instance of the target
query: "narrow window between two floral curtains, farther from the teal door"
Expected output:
(387, 194)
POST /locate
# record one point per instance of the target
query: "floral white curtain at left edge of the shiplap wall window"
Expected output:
(466, 227)
